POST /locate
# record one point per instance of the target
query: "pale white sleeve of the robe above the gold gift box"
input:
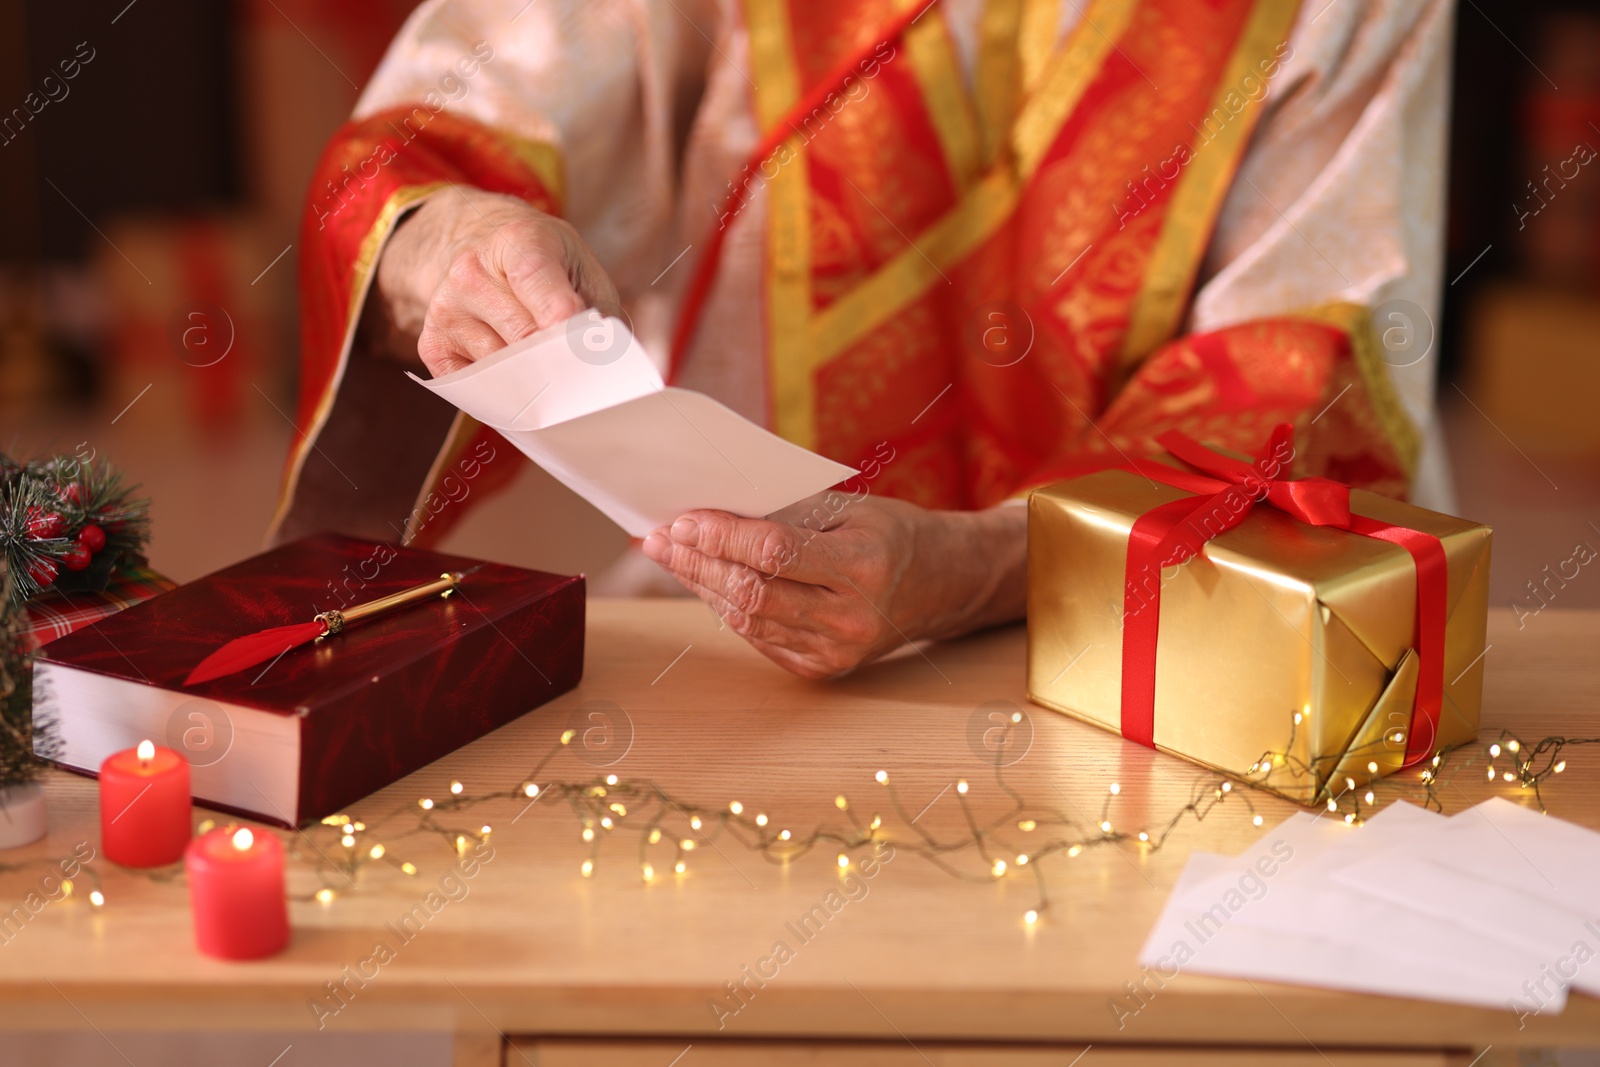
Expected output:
(1342, 194)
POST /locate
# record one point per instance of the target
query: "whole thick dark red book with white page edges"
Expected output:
(329, 722)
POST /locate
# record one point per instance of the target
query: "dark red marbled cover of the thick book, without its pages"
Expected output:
(391, 693)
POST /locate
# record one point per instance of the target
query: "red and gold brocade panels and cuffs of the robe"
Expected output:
(993, 281)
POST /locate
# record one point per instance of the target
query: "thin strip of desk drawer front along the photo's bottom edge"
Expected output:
(714, 1053)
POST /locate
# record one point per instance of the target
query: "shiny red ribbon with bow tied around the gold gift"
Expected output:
(1226, 490)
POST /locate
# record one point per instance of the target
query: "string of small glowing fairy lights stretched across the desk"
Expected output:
(670, 829)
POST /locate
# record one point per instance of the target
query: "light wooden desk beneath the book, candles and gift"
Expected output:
(921, 969)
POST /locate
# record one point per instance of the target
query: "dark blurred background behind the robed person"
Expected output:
(170, 175)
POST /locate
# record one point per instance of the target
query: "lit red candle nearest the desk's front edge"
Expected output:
(236, 895)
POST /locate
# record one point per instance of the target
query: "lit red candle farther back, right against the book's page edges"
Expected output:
(145, 807)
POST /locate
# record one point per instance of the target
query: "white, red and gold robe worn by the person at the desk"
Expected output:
(1010, 239)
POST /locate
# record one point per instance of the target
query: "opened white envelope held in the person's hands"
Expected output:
(585, 402)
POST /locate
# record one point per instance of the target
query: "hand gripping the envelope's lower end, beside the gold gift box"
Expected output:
(854, 583)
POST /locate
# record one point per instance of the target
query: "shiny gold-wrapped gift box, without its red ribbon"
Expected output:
(1286, 650)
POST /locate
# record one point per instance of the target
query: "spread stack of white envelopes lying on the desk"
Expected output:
(1497, 906)
